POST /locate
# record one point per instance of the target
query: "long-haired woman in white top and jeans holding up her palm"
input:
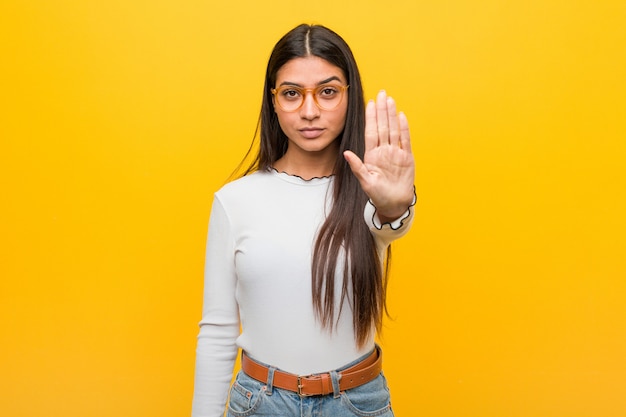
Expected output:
(295, 253)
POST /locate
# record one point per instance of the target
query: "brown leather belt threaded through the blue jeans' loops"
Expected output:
(318, 384)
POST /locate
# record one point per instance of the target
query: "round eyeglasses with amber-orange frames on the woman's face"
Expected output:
(327, 96)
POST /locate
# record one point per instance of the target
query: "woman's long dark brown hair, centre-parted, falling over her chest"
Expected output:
(344, 233)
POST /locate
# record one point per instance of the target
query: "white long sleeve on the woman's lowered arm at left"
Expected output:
(219, 328)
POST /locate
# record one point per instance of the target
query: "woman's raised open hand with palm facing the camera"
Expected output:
(387, 172)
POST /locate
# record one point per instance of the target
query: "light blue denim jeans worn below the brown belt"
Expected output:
(249, 397)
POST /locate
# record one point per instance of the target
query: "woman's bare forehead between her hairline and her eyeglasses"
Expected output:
(310, 70)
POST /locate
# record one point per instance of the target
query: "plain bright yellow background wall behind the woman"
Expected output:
(120, 118)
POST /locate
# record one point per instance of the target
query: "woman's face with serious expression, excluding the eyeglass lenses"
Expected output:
(311, 129)
